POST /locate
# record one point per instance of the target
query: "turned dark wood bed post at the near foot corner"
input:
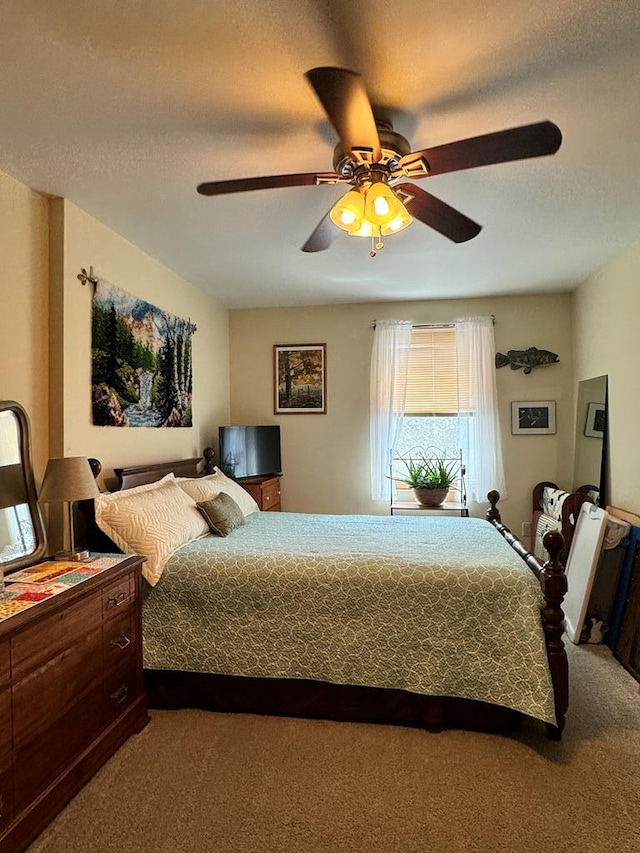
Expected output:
(554, 586)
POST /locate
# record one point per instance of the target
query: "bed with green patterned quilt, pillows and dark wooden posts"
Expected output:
(420, 621)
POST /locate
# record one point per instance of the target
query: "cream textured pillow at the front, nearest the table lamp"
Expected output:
(152, 520)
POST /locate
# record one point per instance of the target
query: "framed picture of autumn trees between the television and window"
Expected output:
(299, 379)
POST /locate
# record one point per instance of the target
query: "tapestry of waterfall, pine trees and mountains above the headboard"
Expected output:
(141, 362)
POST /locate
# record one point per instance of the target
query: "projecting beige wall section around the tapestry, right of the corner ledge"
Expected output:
(78, 240)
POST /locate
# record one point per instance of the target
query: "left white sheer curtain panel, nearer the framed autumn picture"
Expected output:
(389, 361)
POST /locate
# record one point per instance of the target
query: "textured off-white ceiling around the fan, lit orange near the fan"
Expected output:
(123, 108)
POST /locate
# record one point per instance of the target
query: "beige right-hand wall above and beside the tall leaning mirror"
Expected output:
(607, 341)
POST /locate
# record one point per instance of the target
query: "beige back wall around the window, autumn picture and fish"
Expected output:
(326, 457)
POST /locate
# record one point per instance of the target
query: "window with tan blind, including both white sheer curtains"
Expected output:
(436, 386)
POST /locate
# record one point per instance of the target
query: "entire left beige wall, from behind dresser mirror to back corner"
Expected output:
(45, 329)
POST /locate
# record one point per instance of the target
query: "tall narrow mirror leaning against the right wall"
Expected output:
(591, 428)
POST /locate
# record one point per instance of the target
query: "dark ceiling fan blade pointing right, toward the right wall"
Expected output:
(517, 143)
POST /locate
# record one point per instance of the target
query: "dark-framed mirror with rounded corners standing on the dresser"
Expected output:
(22, 536)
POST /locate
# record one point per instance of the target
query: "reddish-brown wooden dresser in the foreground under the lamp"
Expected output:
(71, 693)
